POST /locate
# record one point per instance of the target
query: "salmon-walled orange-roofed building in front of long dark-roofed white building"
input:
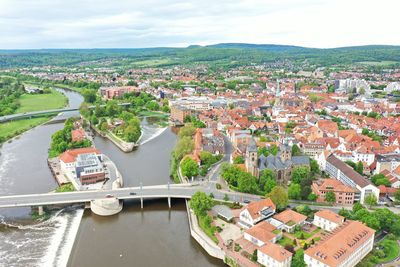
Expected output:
(344, 194)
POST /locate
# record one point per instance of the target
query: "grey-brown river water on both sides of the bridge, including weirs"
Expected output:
(155, 236)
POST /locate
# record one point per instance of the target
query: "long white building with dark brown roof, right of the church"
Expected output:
(344, 173)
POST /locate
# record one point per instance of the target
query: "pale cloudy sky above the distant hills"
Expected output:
(33, 24)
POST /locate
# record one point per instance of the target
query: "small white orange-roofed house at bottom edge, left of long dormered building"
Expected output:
(274, 255)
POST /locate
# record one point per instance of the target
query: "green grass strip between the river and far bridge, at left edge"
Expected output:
(11, 129)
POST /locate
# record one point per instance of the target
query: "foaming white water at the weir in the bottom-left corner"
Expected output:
(47, 243)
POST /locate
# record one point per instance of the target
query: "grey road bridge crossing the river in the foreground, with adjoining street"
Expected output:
(159, 191)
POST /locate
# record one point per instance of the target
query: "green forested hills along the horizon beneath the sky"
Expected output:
(224, 55)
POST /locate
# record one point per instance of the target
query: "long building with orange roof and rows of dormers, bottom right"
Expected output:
(346, 246)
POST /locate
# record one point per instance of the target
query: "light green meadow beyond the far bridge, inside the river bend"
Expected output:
(37, 102)
